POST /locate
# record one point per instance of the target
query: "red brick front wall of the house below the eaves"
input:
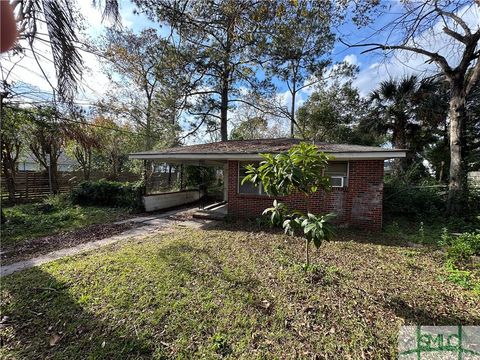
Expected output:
(358, 204)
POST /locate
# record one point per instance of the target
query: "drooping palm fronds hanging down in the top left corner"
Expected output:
(56, 22)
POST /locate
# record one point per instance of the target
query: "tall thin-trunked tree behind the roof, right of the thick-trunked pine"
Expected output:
(299, 39)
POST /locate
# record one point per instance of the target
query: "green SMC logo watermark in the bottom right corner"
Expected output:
(439, 342)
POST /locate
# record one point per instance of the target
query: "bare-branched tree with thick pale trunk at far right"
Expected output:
(416, 30)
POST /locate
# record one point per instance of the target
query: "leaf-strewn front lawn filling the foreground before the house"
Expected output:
(229, 292)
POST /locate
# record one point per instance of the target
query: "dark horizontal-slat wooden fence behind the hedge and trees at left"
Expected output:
(32, 185)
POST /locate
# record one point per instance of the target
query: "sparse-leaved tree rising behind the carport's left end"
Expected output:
(141, 66)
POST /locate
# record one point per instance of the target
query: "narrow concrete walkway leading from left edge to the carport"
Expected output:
(150, 225)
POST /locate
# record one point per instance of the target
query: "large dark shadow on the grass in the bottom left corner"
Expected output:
(42, 320)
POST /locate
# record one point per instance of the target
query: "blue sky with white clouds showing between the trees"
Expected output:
(373, 67)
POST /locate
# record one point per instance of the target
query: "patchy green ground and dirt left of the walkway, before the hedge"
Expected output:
(35, 228)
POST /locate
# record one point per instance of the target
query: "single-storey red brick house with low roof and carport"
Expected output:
(356, 177)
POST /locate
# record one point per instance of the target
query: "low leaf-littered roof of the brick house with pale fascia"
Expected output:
(250, 150)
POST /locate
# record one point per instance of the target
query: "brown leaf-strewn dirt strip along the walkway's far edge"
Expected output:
(43, 245)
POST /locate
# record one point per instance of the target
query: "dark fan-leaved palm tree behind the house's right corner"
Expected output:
(407, 109)
